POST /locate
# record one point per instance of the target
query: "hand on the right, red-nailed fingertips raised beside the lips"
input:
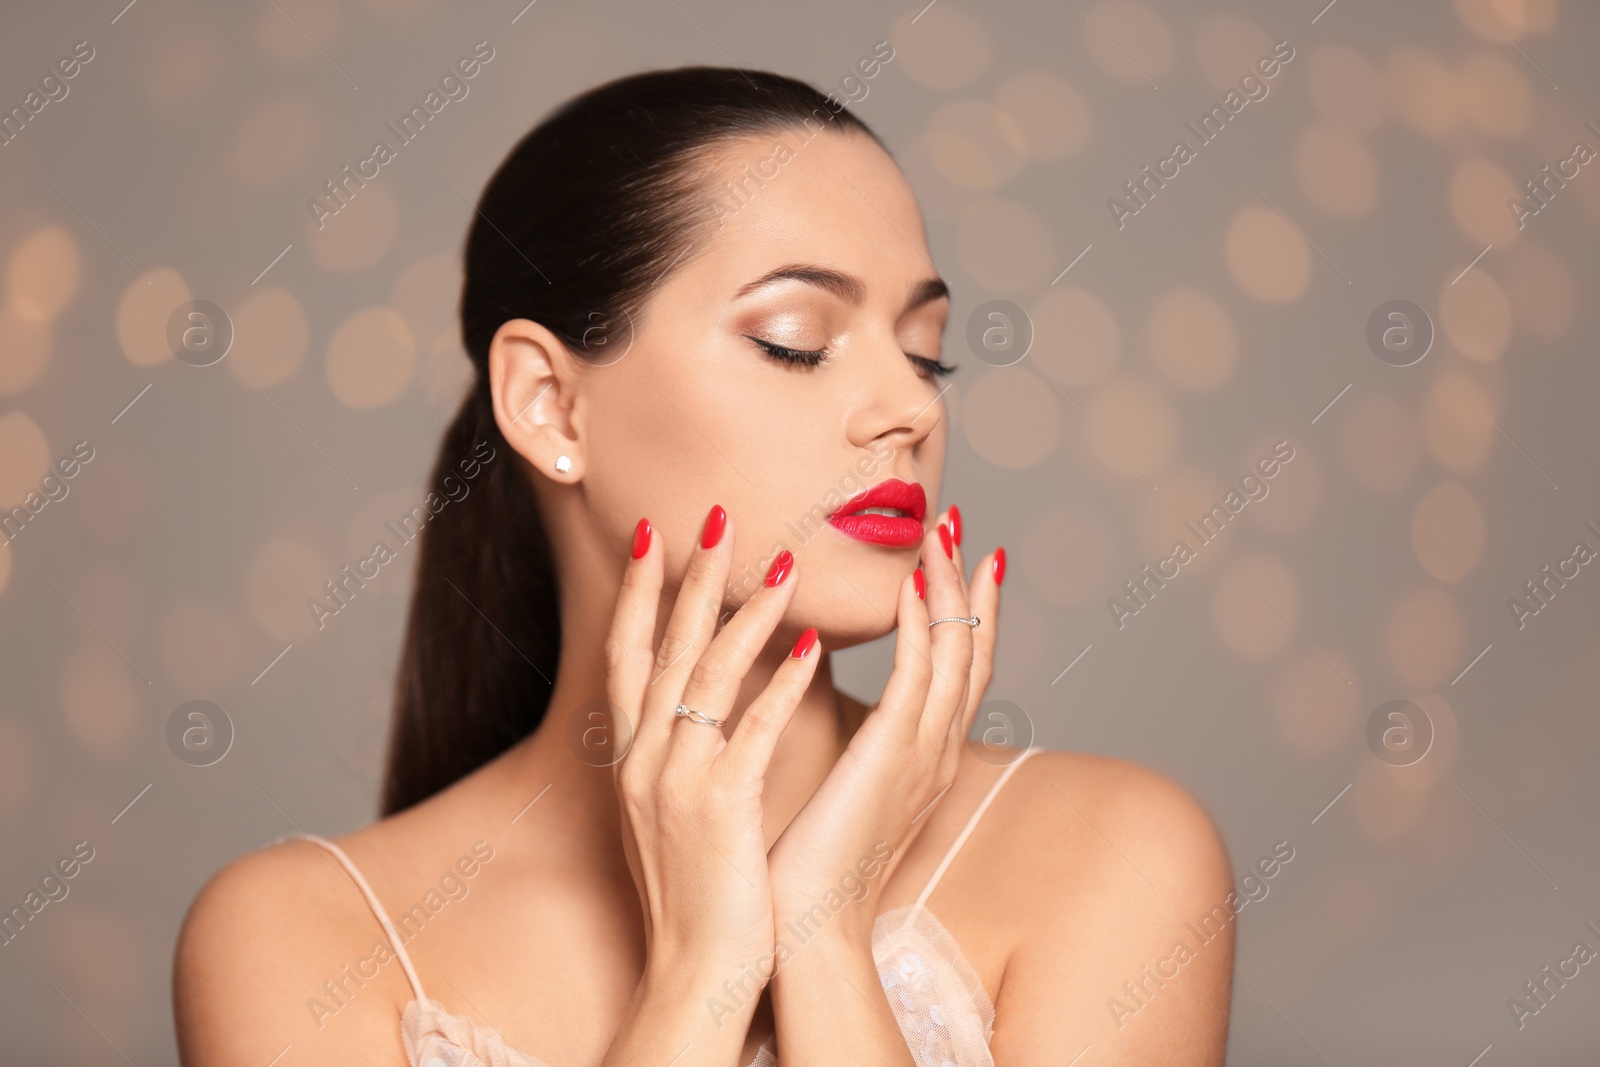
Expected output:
(903, 757)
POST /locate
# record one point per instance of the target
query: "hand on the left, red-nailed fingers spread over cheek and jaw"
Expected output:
(690, 799)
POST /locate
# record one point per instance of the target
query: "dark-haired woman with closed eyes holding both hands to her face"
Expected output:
(630, 820)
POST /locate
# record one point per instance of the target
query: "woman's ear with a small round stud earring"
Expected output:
(535, 386)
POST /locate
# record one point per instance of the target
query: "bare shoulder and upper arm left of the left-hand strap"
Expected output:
(255, 953)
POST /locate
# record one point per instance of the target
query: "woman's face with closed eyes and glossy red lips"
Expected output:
(817, 249)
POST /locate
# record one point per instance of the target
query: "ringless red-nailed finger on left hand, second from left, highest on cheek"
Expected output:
(692, 625)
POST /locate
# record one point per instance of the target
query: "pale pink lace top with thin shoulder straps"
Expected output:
(935, 994)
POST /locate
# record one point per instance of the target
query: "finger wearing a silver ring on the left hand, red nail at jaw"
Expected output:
(719, 674)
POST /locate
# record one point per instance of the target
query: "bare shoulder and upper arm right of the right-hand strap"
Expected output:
(1105, 869)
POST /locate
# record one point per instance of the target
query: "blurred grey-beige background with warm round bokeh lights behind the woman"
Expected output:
(1441, 860)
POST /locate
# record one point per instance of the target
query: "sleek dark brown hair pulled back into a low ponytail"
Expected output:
(578, 223)
